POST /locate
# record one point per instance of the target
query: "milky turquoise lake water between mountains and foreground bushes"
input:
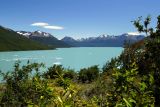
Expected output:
(74, 58)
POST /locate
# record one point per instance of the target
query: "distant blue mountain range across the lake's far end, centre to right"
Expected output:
(103, 40)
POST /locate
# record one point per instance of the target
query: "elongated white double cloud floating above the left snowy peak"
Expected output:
(47, 26)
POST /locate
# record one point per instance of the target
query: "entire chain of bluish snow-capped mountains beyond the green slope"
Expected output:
(103, 40)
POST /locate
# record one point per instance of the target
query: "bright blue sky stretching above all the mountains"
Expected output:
(76, 18)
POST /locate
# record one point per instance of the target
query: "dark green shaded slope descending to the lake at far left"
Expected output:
(11, 41)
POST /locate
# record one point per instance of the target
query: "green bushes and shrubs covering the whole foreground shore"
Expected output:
(130, 80)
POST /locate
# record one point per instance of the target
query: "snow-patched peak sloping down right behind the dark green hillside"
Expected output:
(44, 38)
